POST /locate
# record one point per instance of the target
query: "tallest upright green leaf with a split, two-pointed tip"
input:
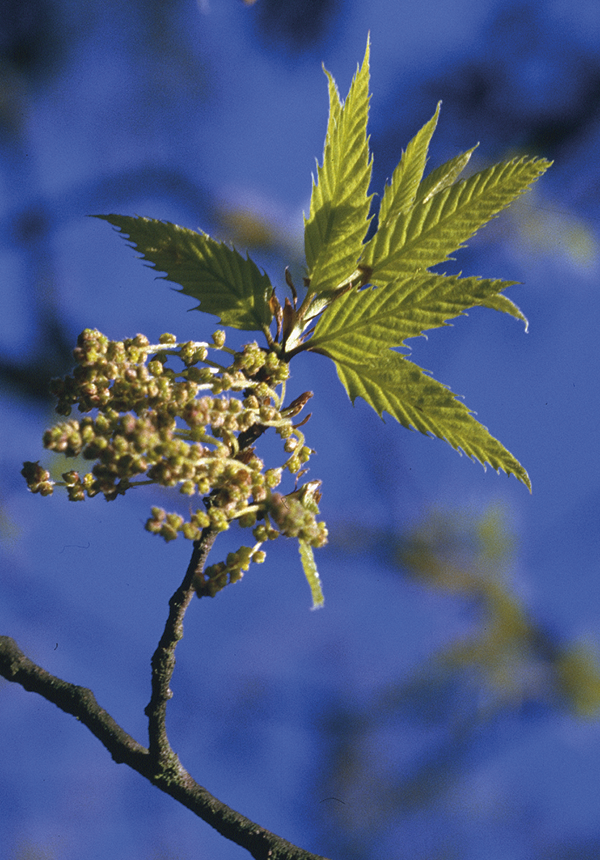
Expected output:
(339, 208)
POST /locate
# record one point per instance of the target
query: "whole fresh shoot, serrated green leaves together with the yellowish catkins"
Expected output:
(363, 300)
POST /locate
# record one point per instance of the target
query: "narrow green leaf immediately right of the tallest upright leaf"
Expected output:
(400, 194)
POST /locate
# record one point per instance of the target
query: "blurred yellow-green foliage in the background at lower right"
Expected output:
(511, 657)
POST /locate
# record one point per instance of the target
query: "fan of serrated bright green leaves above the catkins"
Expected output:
(363, 298)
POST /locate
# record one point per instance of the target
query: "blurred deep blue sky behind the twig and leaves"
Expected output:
(191, 113)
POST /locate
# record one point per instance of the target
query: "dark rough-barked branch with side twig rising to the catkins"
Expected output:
(158, 763)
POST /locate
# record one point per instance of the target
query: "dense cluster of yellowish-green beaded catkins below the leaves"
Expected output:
(191, 427)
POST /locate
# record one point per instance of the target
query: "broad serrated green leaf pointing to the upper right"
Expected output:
(429, 232)
